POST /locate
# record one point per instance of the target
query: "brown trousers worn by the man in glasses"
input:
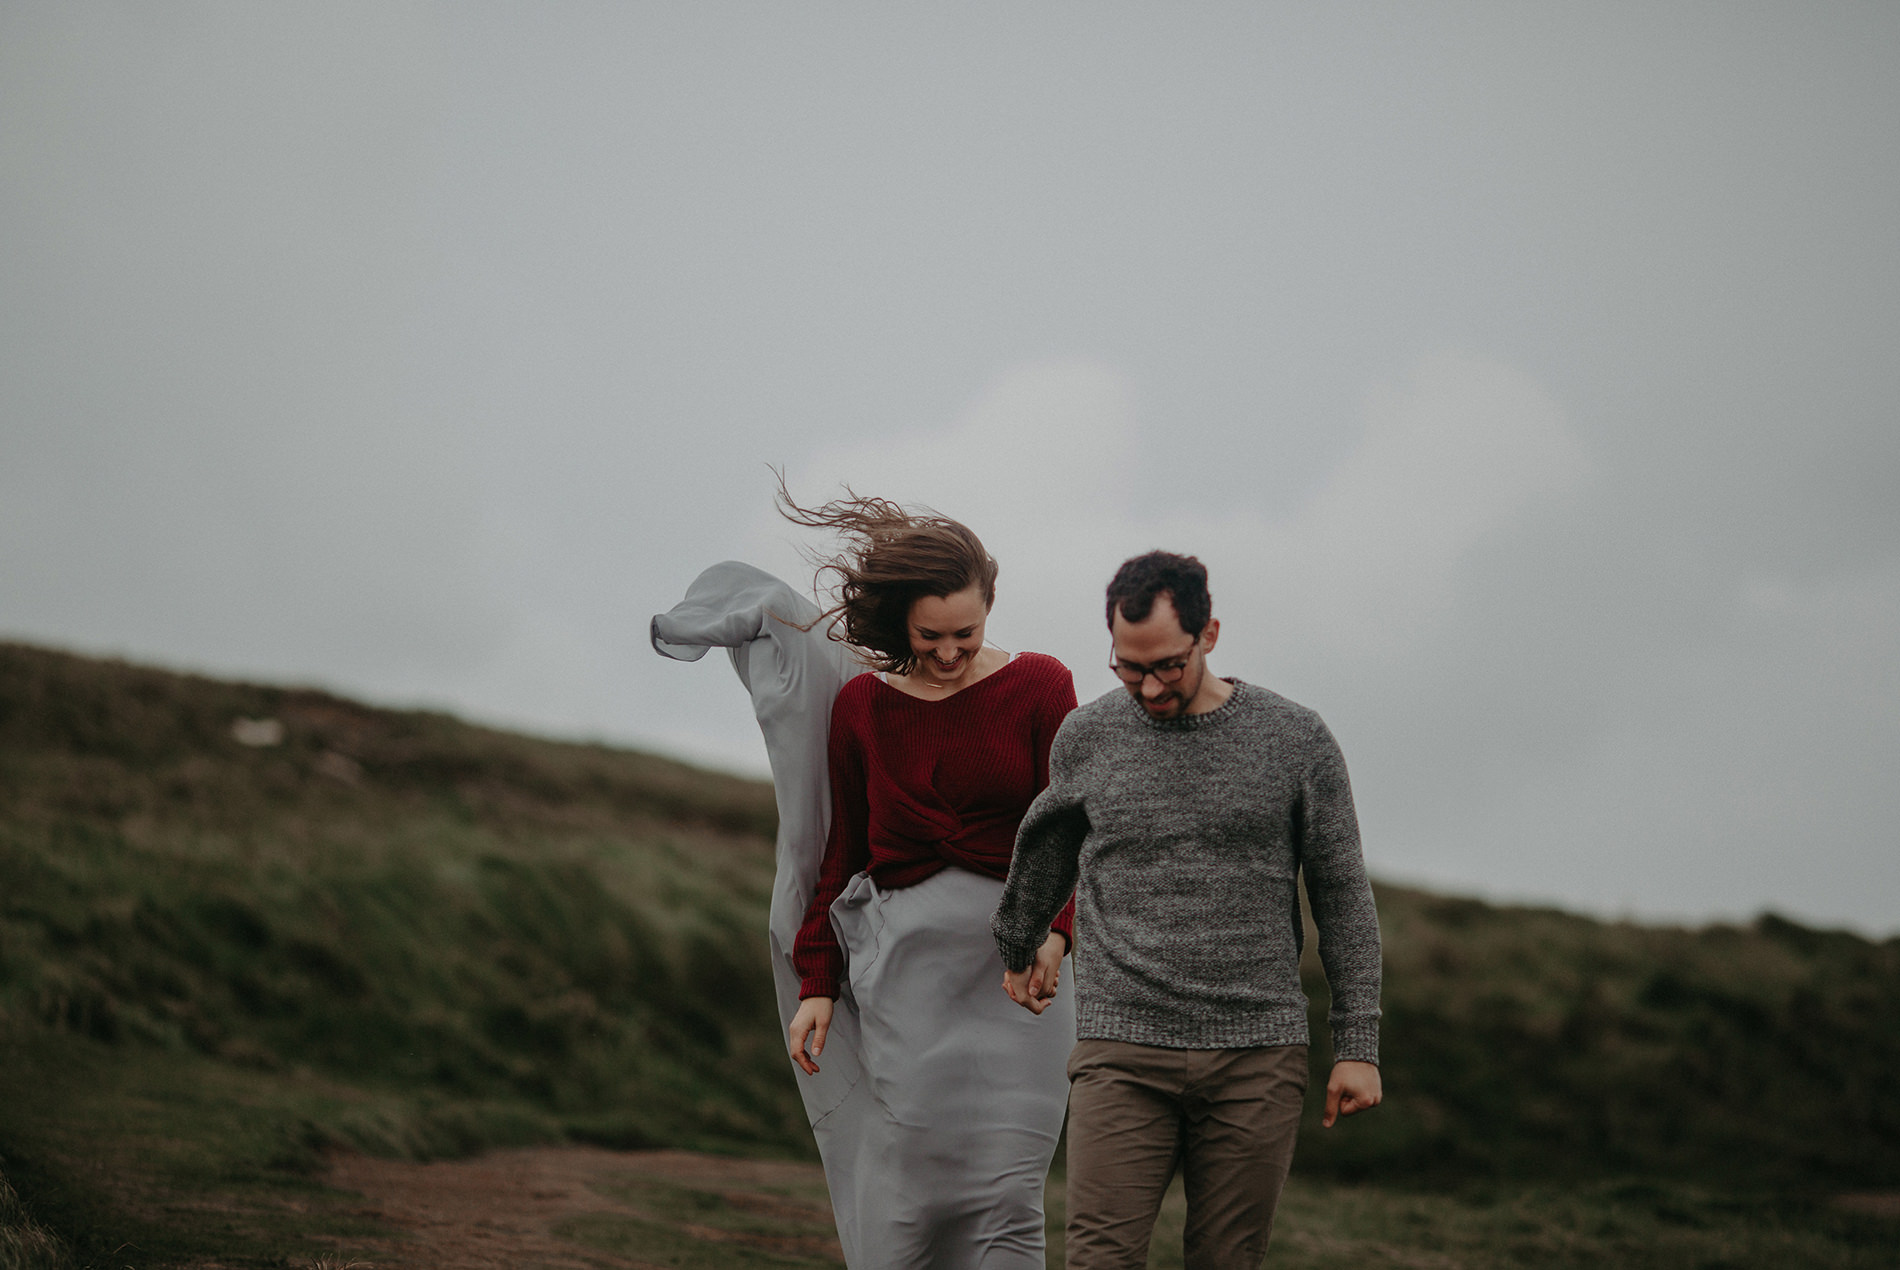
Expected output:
(1228, 1117)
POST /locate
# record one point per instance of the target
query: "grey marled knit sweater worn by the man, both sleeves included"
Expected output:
(1185, 841)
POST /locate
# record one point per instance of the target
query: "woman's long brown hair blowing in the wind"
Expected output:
(892, 560)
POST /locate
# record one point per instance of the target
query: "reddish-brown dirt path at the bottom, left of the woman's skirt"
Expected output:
(580, 1208)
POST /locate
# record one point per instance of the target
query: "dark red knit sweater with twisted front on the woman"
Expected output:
(921, 786)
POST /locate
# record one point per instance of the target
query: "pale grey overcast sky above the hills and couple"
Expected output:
(1527, 375)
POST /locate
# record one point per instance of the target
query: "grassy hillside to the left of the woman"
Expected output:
(466, 938)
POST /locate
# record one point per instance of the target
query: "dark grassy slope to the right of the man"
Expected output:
(1548, 1045)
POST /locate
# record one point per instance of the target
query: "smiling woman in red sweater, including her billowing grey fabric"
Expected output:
(934, 1100)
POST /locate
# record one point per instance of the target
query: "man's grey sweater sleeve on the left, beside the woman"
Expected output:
(1042, 872)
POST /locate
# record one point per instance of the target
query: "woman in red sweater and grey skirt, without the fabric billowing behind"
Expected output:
(934, 760)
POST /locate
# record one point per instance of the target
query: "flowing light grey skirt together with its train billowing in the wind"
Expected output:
(940, 1102)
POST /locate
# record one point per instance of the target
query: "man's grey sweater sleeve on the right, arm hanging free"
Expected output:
(1342, 900)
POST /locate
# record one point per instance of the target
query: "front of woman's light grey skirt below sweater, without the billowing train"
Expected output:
(943, 1164)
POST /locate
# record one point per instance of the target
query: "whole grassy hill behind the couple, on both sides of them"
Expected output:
(406, 934)
